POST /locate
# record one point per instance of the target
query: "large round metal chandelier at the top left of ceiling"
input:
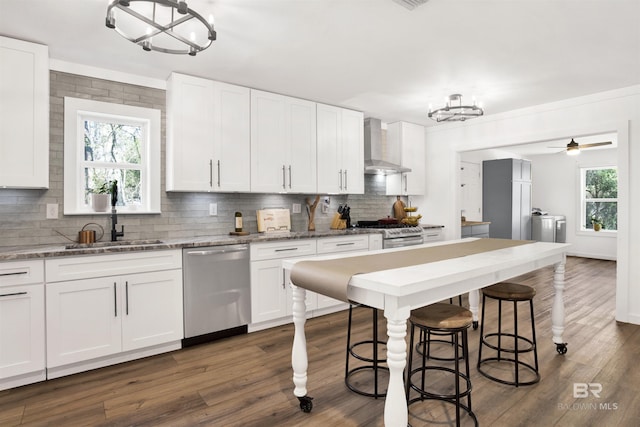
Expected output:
(167, 26)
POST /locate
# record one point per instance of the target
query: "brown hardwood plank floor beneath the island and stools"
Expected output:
(246, 380)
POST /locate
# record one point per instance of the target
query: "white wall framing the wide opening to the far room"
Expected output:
(614, 111)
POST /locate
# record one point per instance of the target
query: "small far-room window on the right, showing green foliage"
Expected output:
(599, 204)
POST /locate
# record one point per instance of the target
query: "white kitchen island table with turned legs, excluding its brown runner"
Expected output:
(397, 291)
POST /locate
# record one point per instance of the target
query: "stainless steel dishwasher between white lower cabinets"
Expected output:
(217, 292)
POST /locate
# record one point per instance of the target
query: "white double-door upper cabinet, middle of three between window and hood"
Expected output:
(283, 144)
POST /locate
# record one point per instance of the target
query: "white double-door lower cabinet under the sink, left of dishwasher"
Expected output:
(97, 321)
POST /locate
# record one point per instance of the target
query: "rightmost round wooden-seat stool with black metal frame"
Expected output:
(514, 292)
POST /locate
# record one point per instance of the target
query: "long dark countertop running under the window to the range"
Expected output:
(51, 251)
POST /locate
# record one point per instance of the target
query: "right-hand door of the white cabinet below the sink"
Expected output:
(152, 309)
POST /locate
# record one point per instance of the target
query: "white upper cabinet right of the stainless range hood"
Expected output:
(411, 139)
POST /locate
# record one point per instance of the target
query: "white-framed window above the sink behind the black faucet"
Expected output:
(107, 142)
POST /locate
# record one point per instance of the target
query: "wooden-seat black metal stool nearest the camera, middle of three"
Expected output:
(443, 319)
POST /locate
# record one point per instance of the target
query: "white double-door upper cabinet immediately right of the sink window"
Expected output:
(208, 138)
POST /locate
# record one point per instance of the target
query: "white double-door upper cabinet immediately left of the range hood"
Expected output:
(340, 150)
